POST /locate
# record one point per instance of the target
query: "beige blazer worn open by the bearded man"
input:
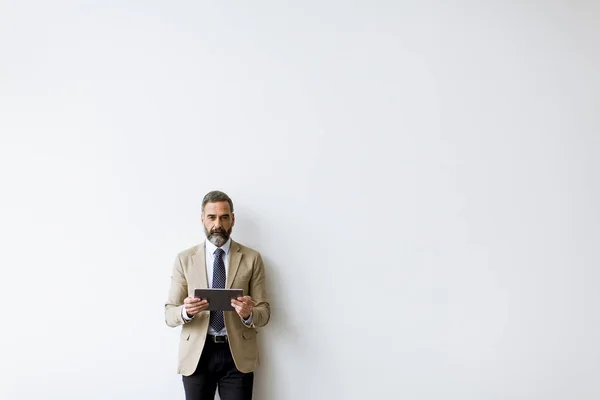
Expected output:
(245, 271)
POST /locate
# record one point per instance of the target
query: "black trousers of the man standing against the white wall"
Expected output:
(216, 369)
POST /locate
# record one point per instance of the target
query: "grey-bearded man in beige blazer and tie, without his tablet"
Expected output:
(218, 349)
